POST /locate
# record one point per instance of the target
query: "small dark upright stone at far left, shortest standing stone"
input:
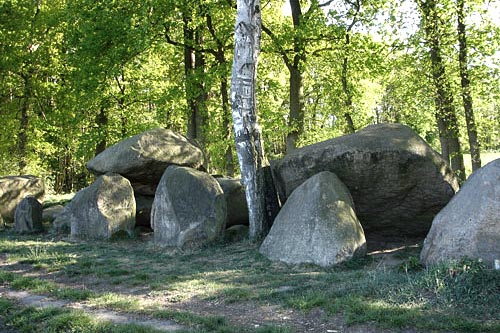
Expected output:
(28, 216)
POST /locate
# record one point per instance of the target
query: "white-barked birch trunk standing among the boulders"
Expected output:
(247, 133)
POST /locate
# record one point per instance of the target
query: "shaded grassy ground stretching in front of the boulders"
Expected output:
(232, 288)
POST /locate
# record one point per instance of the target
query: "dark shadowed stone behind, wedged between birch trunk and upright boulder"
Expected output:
(236, 202)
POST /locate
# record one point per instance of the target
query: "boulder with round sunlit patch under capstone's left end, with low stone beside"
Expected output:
(100, 210)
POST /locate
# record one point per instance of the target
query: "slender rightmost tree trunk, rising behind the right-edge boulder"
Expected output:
(466, 91)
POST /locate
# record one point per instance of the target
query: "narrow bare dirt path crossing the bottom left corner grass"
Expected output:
(29, 300)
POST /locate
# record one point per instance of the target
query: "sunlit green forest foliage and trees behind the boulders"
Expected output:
(77, 76)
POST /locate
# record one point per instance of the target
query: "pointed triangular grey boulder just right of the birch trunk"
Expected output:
(316, 225)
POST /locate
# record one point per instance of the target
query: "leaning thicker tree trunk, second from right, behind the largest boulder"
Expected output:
(445, 112)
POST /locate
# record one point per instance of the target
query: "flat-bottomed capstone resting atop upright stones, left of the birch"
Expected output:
(143, 158)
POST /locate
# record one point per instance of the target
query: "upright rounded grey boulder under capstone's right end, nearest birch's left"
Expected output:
(189, 208)
